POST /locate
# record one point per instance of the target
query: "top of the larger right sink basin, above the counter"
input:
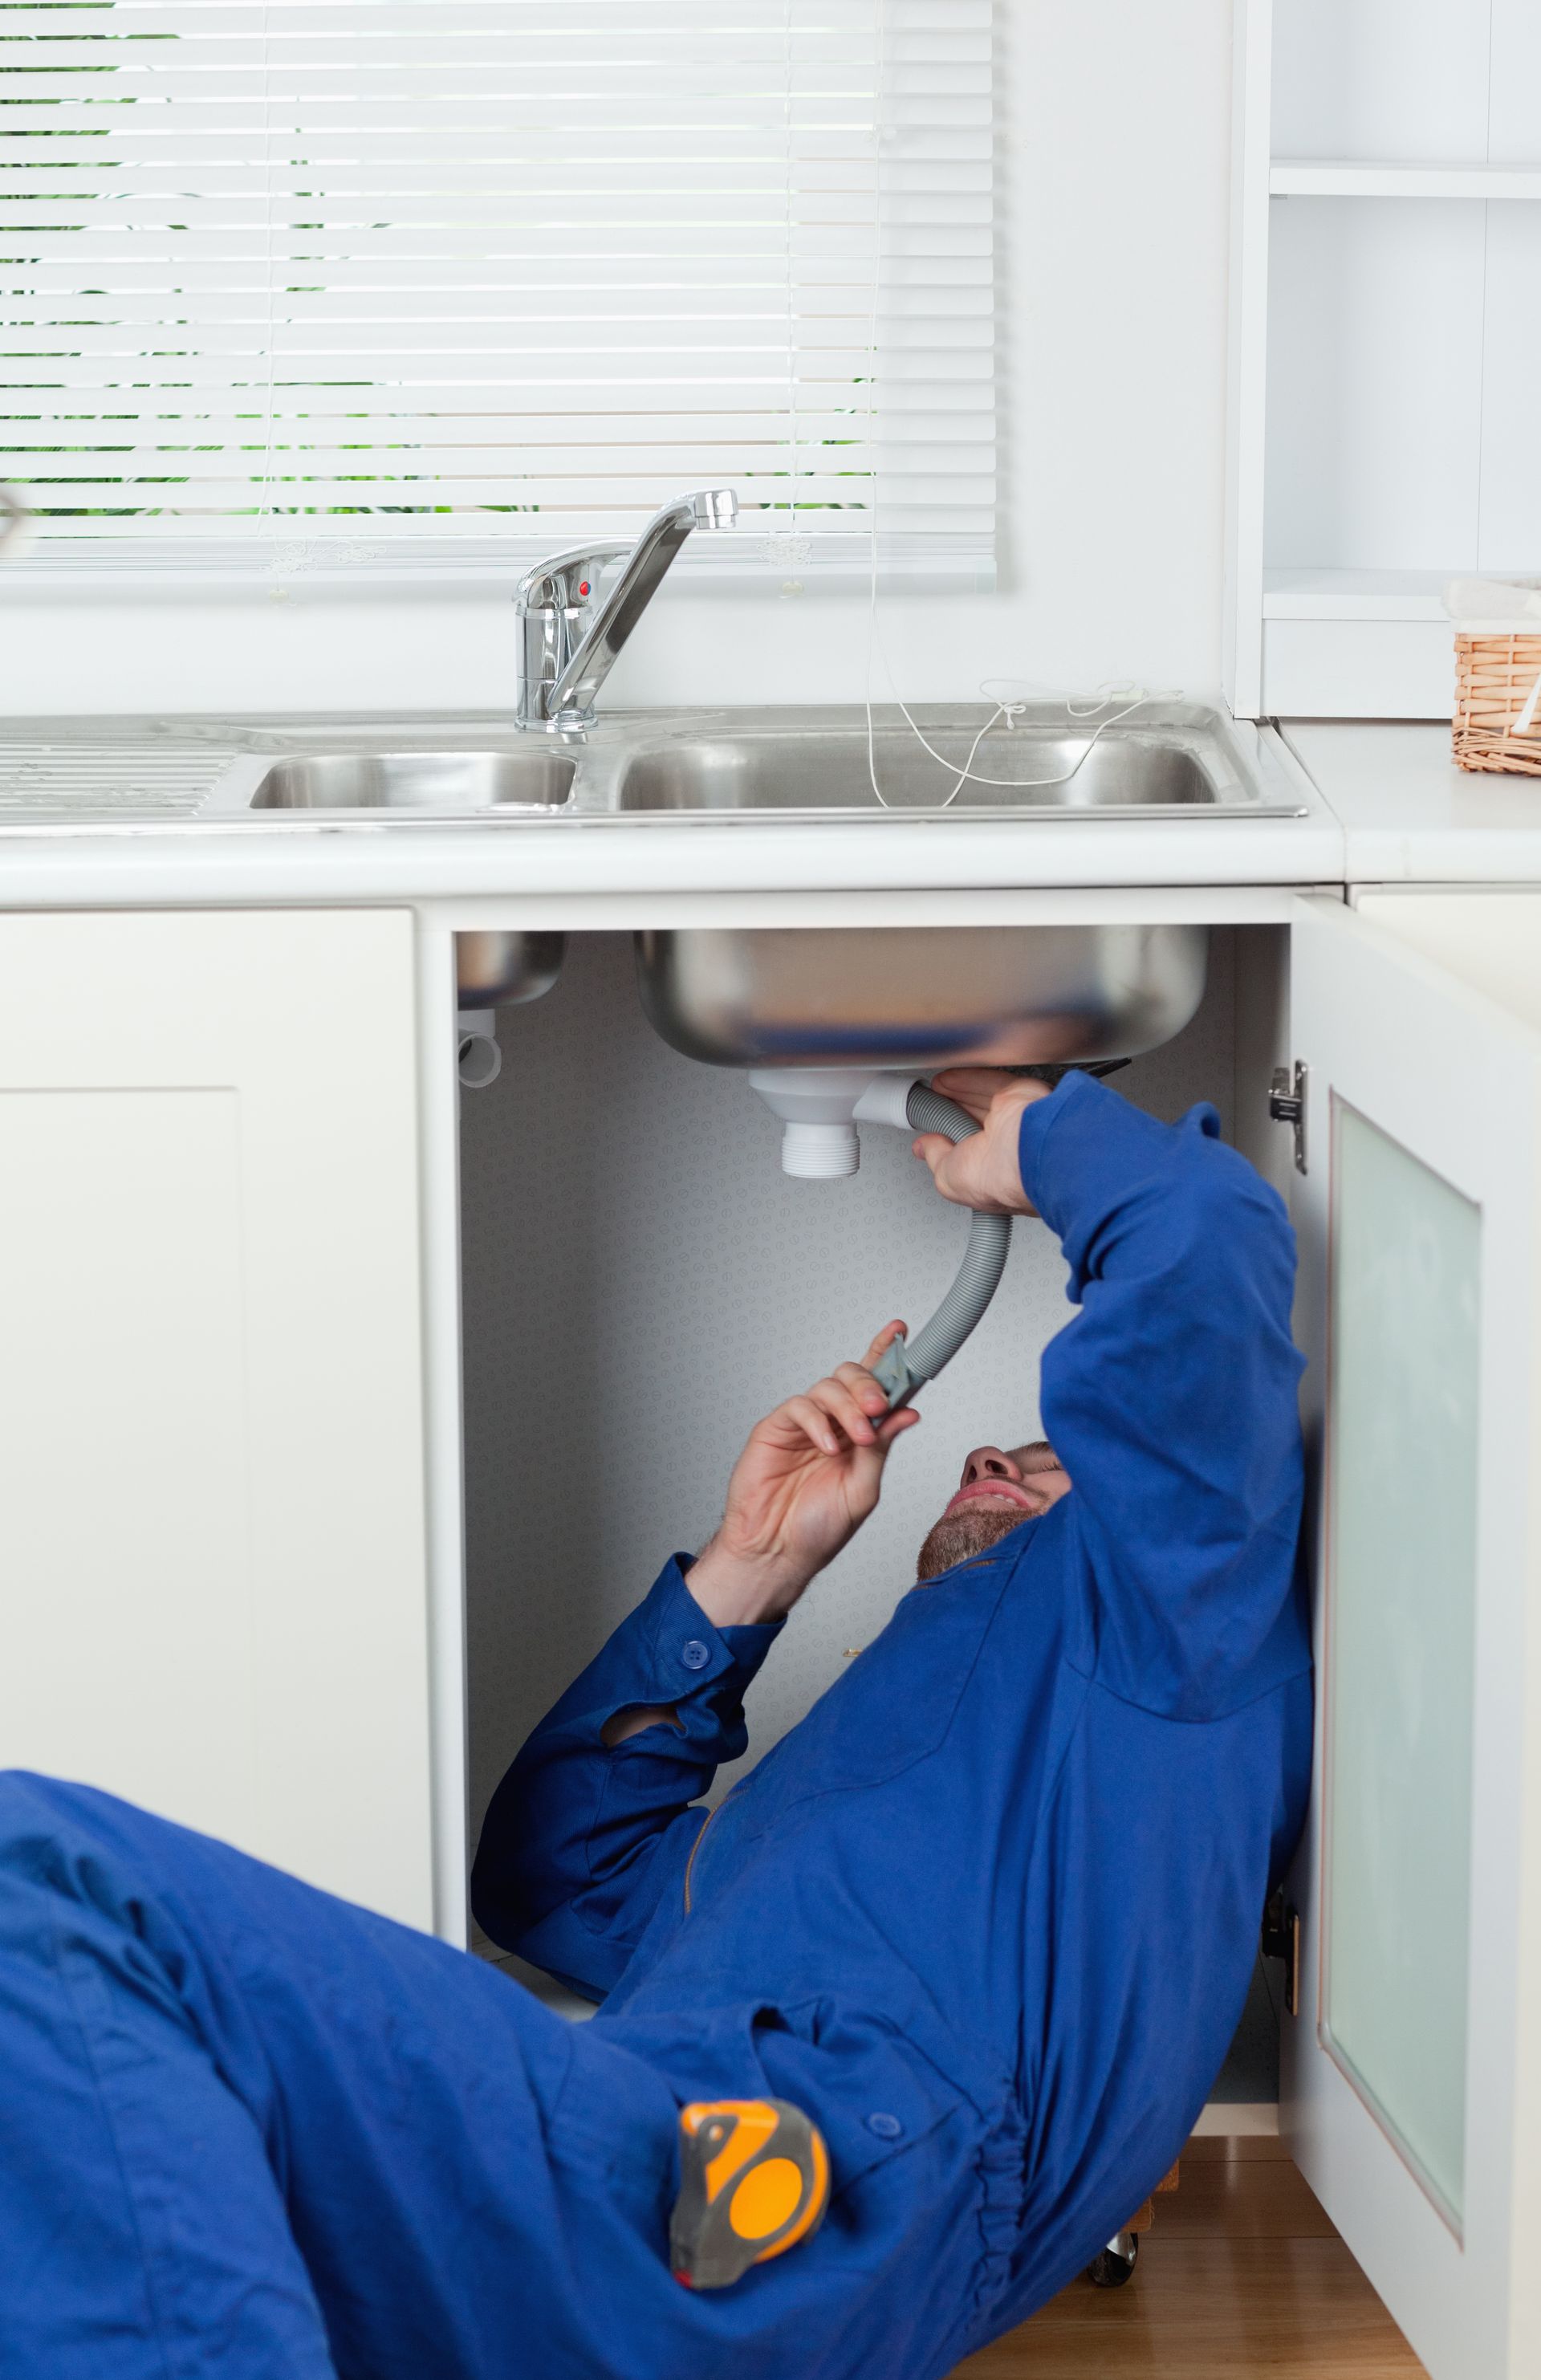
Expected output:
(1038, 763)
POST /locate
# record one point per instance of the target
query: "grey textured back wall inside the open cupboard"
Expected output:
(641, 1282)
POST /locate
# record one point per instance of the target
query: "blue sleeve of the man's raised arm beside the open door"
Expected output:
(1171, 1401)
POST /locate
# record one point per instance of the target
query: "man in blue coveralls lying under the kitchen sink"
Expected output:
(988, 1915)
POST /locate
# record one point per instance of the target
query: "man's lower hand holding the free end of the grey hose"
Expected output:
(800, 1491)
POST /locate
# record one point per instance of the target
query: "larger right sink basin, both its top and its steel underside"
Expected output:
(933, 996)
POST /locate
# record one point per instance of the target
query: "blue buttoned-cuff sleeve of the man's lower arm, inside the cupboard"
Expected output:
(584, 1839)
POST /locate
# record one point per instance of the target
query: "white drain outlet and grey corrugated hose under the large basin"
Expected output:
(822, 1110)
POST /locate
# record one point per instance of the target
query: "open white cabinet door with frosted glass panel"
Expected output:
(1414, 2067)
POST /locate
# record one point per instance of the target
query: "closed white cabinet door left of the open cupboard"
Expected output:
(210, 1386)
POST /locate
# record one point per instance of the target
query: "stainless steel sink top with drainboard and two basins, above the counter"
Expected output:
(639, 772)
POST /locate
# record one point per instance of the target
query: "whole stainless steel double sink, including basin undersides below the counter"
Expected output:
(812, 996)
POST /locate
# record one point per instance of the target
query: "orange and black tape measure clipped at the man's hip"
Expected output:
(755, 2179)
